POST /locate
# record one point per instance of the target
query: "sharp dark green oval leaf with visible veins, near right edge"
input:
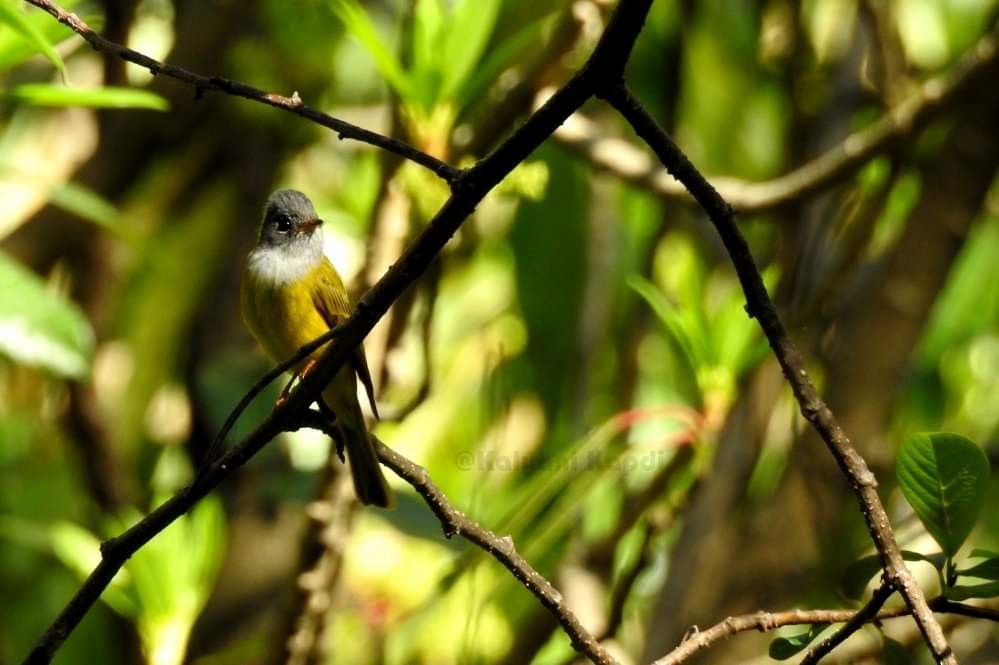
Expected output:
(944, 478)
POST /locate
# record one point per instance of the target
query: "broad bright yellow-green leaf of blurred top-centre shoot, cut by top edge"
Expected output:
(471, 26)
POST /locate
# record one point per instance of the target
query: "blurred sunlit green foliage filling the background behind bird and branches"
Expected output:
(579, 342)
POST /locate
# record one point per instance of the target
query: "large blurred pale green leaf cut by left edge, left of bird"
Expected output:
(40, 328)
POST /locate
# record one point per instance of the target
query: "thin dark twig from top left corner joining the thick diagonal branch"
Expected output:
(293, 104)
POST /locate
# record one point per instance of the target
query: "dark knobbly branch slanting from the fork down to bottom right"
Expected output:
(760, 307)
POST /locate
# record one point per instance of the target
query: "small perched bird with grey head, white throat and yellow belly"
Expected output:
(290, 295)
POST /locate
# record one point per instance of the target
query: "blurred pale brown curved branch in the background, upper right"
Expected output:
(630, 163)
